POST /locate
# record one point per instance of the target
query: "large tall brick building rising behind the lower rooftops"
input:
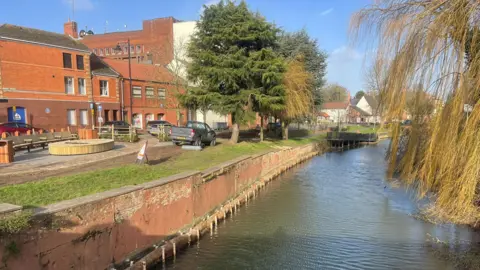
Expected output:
(152, 44)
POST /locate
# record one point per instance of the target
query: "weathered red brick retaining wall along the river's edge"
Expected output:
(100, 230)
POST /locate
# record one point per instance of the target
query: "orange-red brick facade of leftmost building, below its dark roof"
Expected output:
(33, 79)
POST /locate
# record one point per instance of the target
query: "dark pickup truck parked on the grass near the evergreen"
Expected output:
(194, 133)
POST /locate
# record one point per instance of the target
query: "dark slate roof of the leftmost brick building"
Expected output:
(40, 37)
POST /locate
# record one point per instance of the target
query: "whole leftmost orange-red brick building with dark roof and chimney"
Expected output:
(46, 79)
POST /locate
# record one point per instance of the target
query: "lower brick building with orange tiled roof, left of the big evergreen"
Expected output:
(153, 93)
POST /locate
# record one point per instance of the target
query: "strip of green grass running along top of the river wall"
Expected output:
(57, 189)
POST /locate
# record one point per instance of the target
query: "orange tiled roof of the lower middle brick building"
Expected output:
(141, 72)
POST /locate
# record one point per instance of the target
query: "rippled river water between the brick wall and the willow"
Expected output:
(333, 212)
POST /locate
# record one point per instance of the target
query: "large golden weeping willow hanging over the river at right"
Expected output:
(434, 44)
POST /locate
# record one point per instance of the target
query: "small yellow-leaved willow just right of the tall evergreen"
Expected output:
(298, 95)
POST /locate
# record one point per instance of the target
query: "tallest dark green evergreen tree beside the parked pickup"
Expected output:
(228, 35)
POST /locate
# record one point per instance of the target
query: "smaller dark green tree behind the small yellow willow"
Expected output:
(294, 44)
